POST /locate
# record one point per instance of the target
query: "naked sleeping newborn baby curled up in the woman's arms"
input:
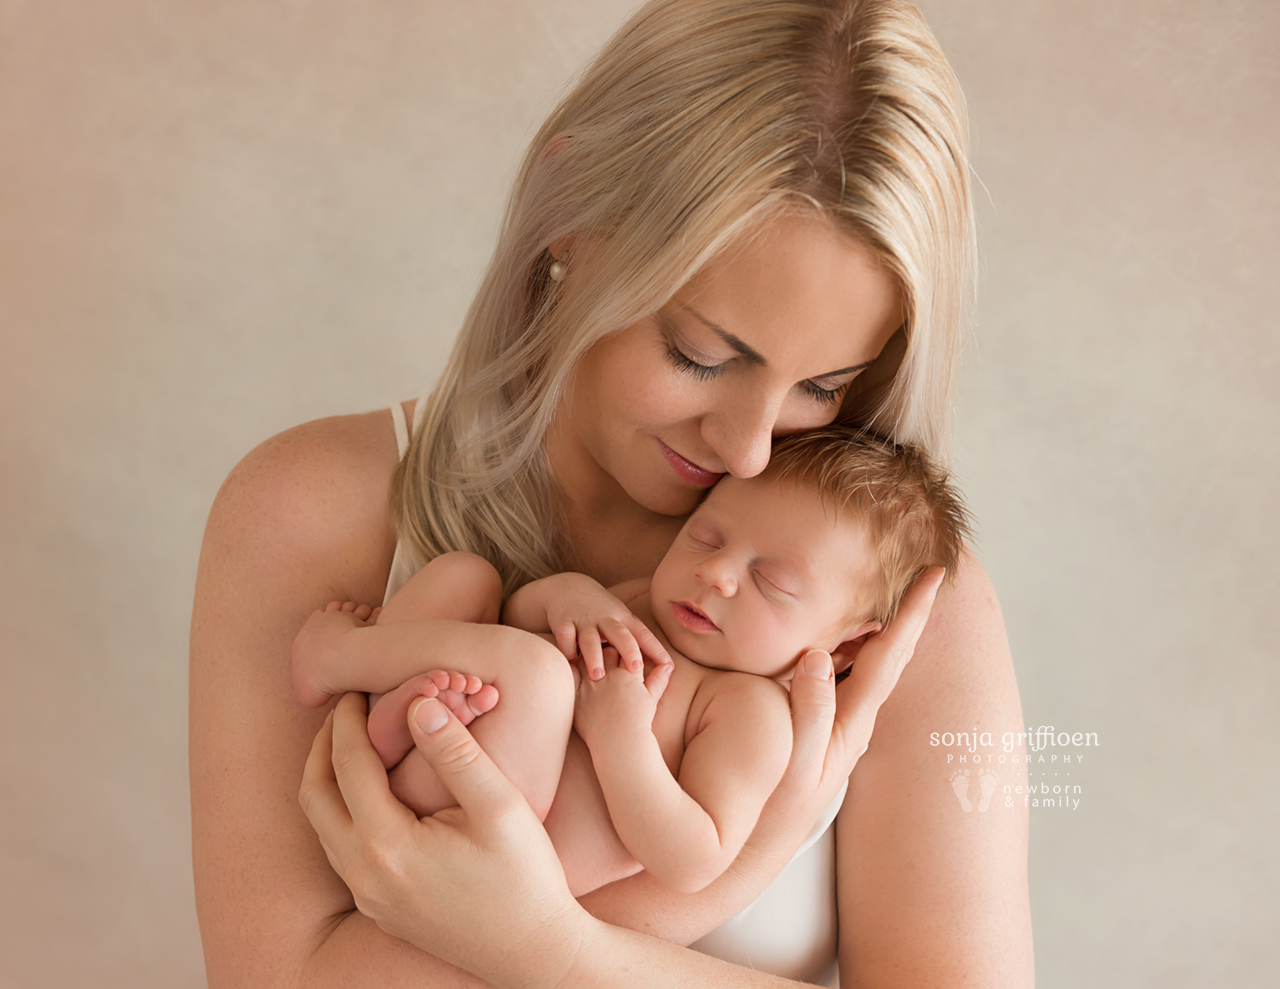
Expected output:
(682, 726)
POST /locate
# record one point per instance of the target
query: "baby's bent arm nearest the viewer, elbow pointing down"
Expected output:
(687, 832)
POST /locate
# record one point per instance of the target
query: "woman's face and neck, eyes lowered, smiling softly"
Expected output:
(761, 344)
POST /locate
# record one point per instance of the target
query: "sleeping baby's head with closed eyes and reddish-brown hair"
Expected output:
(816, 552)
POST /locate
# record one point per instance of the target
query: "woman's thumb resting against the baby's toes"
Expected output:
(461, 764)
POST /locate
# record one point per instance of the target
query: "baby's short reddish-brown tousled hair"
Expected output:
(913, 516)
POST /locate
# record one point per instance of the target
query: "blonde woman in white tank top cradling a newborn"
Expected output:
(747, 221)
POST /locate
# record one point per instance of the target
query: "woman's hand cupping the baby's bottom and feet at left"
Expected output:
(478, 886)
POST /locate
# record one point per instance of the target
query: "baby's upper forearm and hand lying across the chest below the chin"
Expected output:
(584, 617)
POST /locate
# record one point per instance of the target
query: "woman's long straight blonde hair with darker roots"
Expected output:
(697, 125)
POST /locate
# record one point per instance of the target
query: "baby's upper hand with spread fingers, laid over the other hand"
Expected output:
(584, 617)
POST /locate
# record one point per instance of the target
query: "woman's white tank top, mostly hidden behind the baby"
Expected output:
(790, 930)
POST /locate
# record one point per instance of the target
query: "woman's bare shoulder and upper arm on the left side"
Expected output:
(301, 521)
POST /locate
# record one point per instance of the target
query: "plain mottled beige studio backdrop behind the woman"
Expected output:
(221, 219)
